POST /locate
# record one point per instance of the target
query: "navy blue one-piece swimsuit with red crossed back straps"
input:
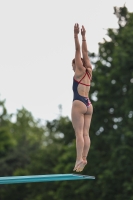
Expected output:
(85, 100)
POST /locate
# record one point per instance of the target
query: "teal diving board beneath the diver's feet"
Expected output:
(43, 178)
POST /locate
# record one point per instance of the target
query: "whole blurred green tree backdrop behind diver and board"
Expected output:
(27, 147)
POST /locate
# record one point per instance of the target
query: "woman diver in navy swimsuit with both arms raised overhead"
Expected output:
(82, 108)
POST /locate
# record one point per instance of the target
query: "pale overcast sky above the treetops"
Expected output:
(37, 47)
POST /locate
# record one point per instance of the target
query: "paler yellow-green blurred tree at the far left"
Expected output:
(27, 135)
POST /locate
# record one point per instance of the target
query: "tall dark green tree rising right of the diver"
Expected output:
(112, 87)
